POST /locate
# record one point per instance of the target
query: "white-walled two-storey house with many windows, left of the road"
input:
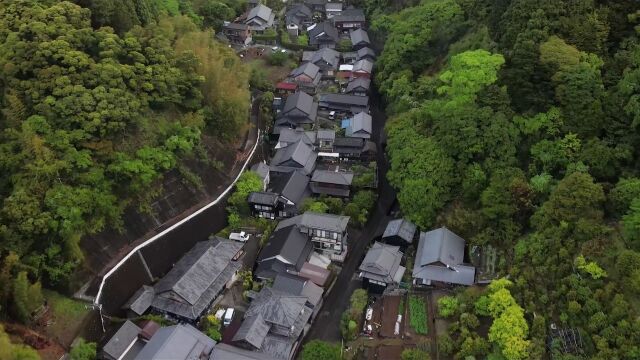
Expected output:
(327, 232)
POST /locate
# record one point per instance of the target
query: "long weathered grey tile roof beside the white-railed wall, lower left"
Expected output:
(197, 278)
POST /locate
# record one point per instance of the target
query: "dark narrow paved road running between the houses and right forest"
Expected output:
(327, 324)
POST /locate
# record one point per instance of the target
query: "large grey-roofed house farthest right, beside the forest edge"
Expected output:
(440, 257)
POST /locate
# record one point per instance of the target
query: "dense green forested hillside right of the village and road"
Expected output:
(515, 123)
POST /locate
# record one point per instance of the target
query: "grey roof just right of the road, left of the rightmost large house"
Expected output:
(382, 263)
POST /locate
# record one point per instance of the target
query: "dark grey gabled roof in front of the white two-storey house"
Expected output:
(287, 245)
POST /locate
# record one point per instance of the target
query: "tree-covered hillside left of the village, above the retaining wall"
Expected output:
(94, 110)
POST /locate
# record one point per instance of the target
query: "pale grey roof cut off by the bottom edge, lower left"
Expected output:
(177, 342)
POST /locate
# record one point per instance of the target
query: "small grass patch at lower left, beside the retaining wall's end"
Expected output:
(66, 316)
